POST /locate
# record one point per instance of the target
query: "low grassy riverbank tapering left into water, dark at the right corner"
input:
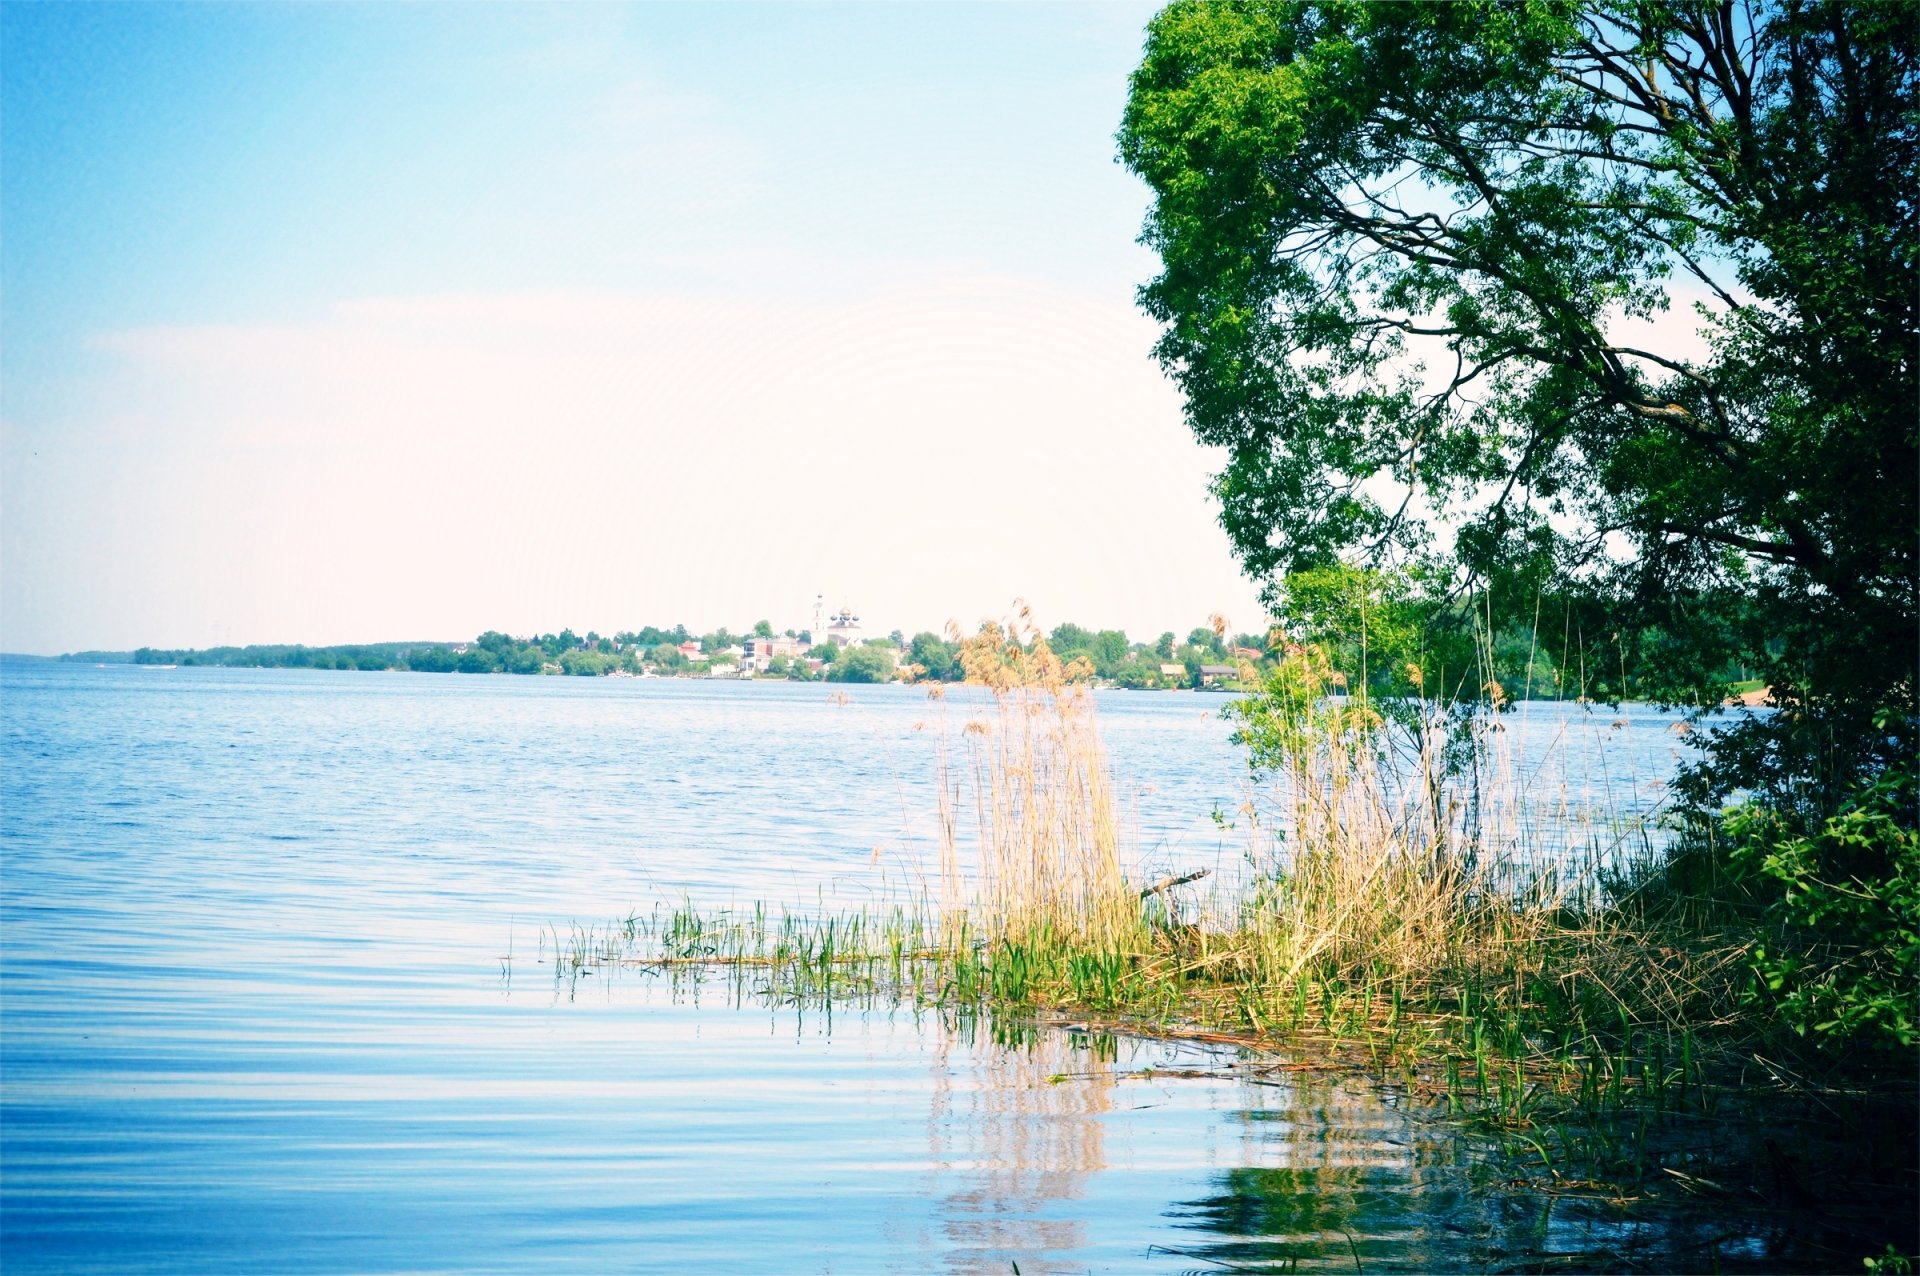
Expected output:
(1696, 1131)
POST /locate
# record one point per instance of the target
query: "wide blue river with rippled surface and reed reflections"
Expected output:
(272, 999)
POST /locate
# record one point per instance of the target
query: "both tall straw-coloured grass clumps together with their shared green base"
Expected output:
(1389, 887)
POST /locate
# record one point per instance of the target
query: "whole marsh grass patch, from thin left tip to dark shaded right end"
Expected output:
(1401, 914)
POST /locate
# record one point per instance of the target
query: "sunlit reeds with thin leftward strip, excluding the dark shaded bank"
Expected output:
(1389, 909)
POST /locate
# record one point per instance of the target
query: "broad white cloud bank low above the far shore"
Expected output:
(435, 465)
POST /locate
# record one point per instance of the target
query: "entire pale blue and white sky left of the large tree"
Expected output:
(360, 323)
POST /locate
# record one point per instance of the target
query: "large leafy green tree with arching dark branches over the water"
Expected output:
(1403, 247)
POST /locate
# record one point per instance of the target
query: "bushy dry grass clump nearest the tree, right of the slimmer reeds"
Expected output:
(1391, 870)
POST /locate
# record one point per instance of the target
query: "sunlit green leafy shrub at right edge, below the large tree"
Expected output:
(1842, 951)
